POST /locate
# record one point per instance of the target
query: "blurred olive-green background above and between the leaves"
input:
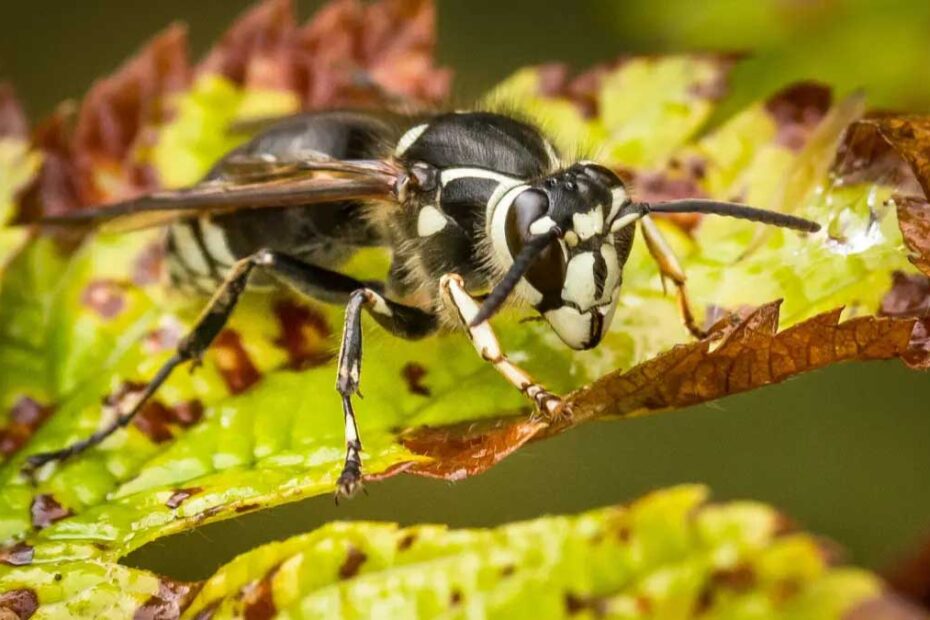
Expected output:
(844, 451)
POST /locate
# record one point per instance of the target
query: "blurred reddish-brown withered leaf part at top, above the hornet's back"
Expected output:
(349, 54)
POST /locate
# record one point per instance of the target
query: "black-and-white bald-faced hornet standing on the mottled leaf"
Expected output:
(477, 210)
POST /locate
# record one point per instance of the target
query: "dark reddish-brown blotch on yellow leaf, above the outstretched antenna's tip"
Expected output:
(797, 111)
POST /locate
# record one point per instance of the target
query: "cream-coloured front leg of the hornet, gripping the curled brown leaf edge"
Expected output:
(549, 405)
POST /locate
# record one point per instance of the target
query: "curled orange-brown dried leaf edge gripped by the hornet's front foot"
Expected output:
(738, 358)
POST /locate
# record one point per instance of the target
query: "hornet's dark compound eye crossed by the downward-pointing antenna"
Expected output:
(547, 275)
